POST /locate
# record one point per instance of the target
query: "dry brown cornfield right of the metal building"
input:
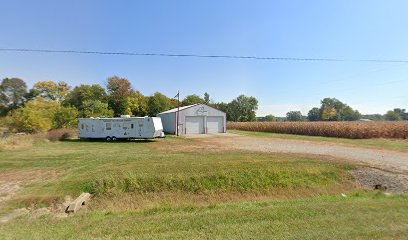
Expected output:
(355, 130)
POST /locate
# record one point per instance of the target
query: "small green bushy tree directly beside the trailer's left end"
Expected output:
(65, 117)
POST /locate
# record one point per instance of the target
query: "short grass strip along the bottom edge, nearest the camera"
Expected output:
(368, 216)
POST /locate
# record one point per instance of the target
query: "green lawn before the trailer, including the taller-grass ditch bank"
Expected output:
(138, 167)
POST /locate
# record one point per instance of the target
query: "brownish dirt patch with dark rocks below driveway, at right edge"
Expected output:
(382, 180)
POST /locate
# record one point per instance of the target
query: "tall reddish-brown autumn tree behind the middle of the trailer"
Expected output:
(119, 90)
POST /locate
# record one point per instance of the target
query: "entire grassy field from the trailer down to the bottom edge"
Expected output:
(154, 190)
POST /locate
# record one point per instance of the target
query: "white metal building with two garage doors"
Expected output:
(194, 119)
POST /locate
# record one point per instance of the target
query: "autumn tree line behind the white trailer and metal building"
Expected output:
(50, 104)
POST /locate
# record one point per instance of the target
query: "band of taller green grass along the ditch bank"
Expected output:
(235, 181)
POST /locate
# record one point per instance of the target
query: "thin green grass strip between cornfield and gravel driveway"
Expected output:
(390, 144)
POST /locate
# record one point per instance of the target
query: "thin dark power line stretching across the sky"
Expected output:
(202, 56)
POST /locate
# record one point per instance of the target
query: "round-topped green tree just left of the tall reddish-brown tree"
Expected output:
(83, 93)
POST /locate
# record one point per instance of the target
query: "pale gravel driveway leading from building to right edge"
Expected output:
(384, 167)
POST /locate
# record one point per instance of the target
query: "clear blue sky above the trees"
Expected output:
(343, 29)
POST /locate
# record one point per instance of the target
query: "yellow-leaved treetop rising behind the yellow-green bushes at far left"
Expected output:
(51, 91)
